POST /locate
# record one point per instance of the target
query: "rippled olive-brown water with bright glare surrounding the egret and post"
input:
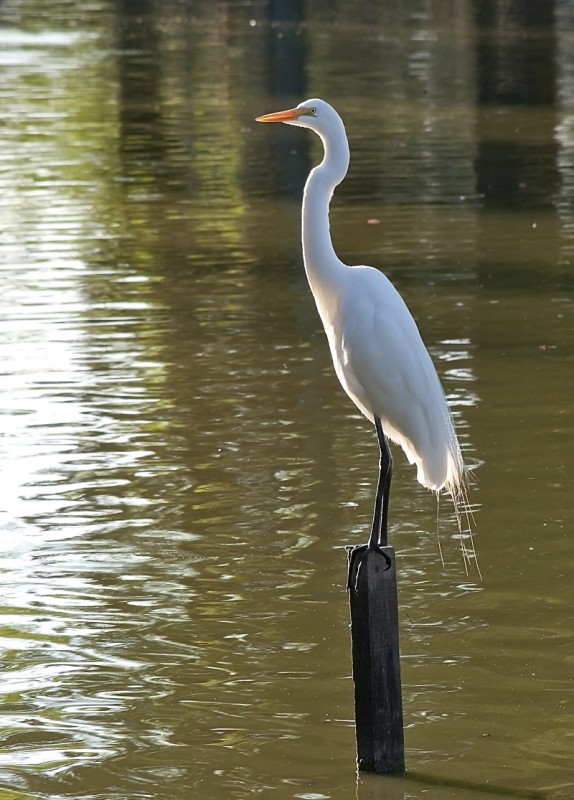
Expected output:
(181, 471)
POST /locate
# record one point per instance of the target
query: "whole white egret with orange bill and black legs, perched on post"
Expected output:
(378, 354)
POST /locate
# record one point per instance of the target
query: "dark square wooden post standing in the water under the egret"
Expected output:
(376, 666)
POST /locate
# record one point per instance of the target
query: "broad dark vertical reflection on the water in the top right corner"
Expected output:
(515, 67)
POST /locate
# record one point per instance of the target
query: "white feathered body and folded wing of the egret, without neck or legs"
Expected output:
(385, 368)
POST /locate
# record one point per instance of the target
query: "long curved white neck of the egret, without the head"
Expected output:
(321, 262)
